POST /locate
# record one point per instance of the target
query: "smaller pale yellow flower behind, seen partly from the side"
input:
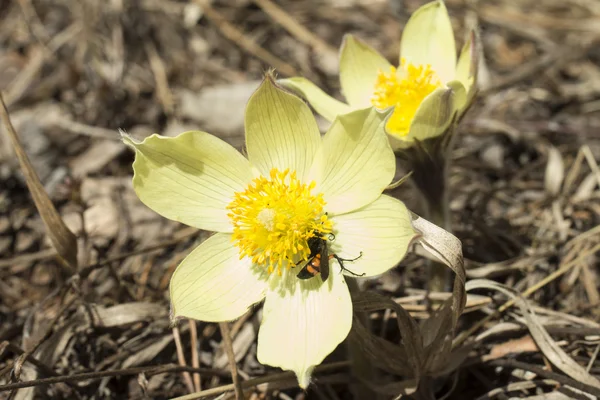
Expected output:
(428, 89)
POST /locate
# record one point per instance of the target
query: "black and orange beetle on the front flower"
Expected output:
(318, 260)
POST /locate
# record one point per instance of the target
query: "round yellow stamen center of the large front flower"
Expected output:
(274, 218)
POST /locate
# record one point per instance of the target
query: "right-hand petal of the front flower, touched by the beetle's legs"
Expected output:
(382, 231)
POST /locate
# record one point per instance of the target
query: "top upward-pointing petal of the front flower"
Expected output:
(281, 131)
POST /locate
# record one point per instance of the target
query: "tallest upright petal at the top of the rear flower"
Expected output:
(428, 39)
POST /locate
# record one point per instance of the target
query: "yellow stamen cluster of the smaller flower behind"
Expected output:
(405, 89)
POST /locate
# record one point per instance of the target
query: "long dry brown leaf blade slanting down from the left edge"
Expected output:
(63, 240)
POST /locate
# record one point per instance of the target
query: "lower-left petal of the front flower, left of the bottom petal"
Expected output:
(213, 284)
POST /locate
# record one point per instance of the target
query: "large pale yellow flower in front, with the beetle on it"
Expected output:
(265, 209)
